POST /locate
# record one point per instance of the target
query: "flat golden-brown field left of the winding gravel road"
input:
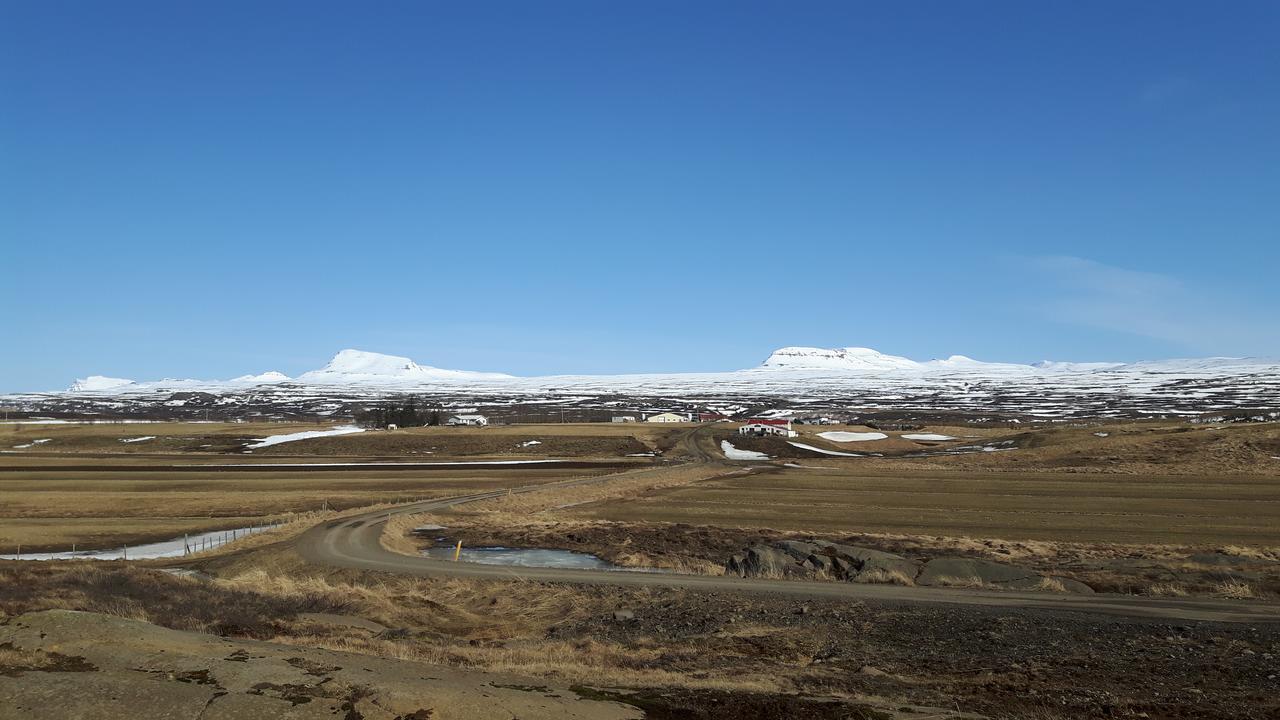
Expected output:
(88, 487)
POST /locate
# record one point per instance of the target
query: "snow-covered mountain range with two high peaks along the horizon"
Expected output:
(813, 377)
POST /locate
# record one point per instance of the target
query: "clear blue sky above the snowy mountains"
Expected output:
(208, 190)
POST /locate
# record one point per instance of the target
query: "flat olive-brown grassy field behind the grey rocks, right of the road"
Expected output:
(1071, 507)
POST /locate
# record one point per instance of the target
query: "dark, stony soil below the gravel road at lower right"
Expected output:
(995, 662)
